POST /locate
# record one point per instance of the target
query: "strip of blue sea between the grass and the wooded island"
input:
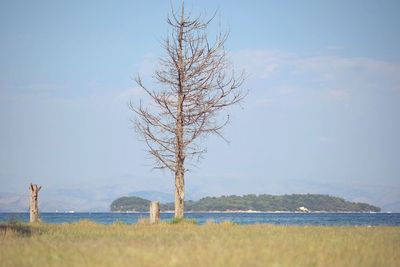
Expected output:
(338, 219)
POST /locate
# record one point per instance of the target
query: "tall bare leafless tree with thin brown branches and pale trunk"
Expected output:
(197, 82)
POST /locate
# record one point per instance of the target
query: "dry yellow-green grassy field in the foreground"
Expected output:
(88, 244)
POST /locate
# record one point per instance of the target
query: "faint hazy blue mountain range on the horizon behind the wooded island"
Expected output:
(97, 199)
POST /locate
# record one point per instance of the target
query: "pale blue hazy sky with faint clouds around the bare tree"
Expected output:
(323, 103)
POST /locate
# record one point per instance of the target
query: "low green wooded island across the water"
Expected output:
(262, 203)
